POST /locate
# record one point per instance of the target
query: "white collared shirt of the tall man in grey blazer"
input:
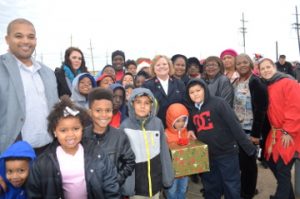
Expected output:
(34, 130)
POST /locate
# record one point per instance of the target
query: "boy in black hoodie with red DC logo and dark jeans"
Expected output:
(216, 125)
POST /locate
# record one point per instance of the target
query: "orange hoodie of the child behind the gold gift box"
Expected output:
(174, 112)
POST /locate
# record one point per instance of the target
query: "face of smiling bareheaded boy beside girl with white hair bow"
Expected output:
(101, 112)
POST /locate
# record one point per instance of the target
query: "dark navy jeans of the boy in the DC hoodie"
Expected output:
(223, 178)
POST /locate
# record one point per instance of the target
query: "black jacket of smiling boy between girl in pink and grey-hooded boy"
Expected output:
(115, 143)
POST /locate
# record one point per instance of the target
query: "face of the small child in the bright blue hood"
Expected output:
(17, 171)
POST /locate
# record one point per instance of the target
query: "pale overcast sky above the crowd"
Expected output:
(144, 28)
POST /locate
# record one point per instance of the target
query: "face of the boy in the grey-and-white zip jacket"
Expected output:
(142, 106)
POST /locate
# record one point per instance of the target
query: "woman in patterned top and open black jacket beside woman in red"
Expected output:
(250, 106)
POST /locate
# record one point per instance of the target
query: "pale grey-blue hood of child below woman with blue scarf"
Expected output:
(76, 96)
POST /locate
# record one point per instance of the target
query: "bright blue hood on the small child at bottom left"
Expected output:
(20, 149)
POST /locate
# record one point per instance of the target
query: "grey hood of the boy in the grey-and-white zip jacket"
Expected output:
(138, 92)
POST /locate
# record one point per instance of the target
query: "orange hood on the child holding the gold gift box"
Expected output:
(175, 112)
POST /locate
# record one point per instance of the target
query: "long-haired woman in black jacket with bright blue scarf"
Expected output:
(73, 65)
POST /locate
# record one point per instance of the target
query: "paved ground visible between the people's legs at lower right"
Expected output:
(266, 185)
